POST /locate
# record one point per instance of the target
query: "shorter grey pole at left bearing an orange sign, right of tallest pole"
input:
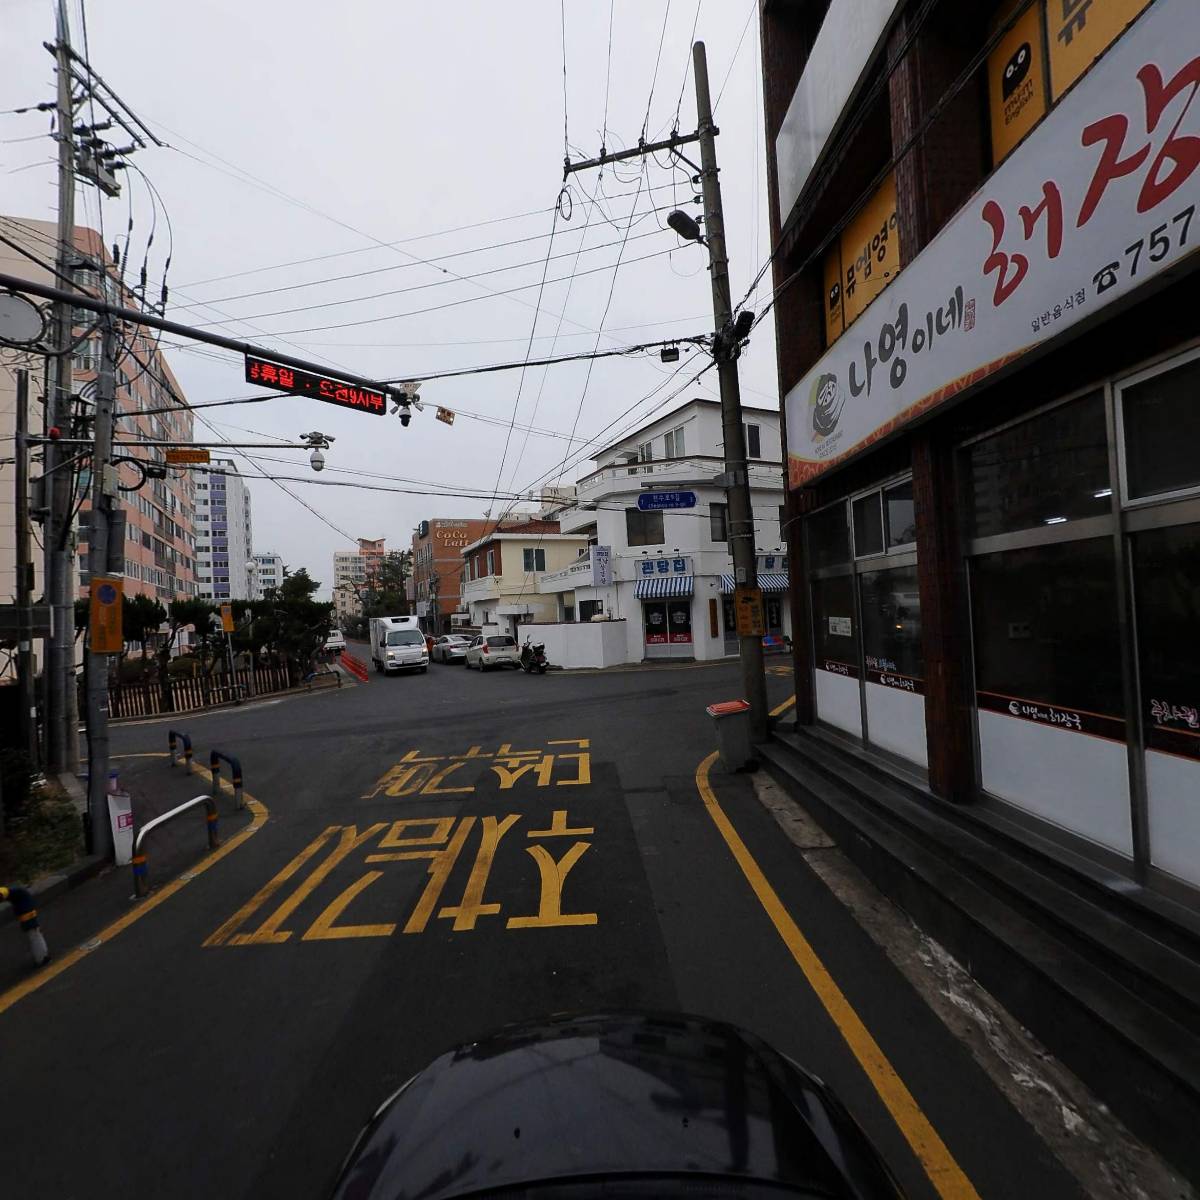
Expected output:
(98, 563)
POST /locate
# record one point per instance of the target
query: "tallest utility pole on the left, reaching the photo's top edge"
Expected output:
(59, 721)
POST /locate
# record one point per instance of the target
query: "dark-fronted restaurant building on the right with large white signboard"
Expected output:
(991, 355)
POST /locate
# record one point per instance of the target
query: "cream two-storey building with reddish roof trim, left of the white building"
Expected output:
(501, 572)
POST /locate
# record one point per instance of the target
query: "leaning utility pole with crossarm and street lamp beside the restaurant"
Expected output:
(727, 347)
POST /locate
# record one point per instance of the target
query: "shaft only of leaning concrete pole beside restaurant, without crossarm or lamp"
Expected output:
(741, 511)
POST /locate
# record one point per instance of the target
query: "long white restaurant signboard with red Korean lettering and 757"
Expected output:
(1100, 200)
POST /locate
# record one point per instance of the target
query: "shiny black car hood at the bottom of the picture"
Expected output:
(617, 1095)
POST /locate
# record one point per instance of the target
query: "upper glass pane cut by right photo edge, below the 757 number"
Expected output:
(1162, 433)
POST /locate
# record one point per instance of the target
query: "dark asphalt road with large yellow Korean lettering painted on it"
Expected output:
(445, 854)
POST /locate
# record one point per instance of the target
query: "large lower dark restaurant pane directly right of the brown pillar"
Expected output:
(1047, 632)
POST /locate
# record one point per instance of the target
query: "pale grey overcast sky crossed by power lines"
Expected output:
(301, 130)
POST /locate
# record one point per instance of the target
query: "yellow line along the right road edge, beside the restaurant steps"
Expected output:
(935, 1159)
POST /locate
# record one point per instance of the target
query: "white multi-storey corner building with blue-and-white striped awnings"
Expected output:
(669, 581)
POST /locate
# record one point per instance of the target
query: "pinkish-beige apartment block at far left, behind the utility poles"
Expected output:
(159, 548)
